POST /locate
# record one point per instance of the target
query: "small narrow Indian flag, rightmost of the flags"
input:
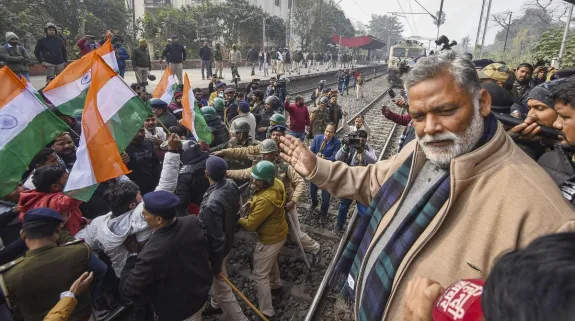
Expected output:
(192, 117)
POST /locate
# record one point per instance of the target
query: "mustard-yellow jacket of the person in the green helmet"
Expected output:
(267, 216)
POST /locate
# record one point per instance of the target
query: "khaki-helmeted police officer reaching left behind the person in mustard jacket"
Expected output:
(295, 189)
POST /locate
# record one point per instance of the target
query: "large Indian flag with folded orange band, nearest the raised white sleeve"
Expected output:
(111, 117)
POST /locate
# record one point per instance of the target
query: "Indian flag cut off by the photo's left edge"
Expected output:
(26, 126)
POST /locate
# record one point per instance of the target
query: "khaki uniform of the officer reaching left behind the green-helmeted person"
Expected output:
(295, 189)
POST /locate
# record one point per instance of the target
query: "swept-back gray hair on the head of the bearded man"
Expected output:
(446, 62)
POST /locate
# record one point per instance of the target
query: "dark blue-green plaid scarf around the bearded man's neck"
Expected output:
(379, 280)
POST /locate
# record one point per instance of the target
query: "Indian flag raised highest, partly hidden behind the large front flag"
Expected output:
(68, 90)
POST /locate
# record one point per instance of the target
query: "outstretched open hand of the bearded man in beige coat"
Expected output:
(298, 155)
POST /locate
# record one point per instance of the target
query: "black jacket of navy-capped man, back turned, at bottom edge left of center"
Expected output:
(172, 271)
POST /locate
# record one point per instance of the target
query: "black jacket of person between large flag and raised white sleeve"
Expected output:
(145, 166)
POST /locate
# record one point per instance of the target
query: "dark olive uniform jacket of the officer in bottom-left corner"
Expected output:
(33, 283)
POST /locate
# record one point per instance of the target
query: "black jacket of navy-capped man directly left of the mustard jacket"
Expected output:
(218, 213)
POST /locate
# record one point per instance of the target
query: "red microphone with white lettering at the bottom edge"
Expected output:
(461, 301)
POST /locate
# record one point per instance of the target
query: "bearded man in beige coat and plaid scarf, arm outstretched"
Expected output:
(495, 198)
